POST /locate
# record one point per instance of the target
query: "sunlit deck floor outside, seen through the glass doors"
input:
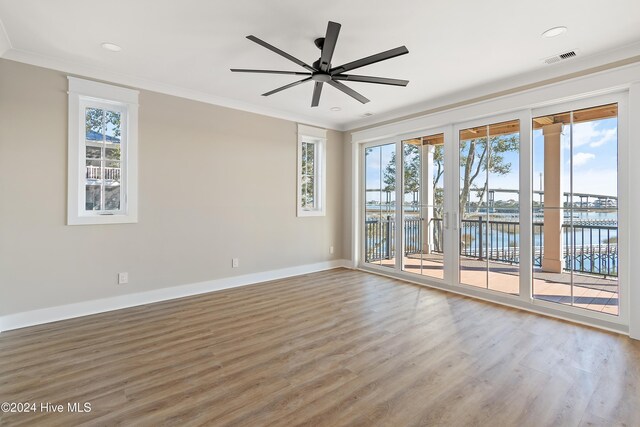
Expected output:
(590, 292)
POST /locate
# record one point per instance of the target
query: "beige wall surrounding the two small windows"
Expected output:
(215, 183)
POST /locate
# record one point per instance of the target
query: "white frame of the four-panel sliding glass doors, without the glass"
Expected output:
(452, 190)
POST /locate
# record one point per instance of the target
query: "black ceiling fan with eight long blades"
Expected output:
(321, 71)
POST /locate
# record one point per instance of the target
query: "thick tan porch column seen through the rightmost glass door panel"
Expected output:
(553, 258)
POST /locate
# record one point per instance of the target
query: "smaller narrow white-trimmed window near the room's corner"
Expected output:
(311, 171)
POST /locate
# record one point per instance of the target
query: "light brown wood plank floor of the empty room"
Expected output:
(337, 348)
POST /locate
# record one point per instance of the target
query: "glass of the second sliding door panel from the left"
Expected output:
(423, 205)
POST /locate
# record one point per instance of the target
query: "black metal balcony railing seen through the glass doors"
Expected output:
(588, 248)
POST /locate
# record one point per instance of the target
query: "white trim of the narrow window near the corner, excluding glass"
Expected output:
(318, 137)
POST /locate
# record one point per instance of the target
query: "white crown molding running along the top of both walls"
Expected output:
(546, 75)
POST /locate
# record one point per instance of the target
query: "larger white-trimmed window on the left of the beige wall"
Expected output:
(102, 153)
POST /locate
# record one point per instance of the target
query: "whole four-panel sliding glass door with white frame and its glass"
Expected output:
(520, 207)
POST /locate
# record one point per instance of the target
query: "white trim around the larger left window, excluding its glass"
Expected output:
(86, 92)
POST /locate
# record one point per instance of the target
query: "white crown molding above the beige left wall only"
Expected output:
(97, 73)
